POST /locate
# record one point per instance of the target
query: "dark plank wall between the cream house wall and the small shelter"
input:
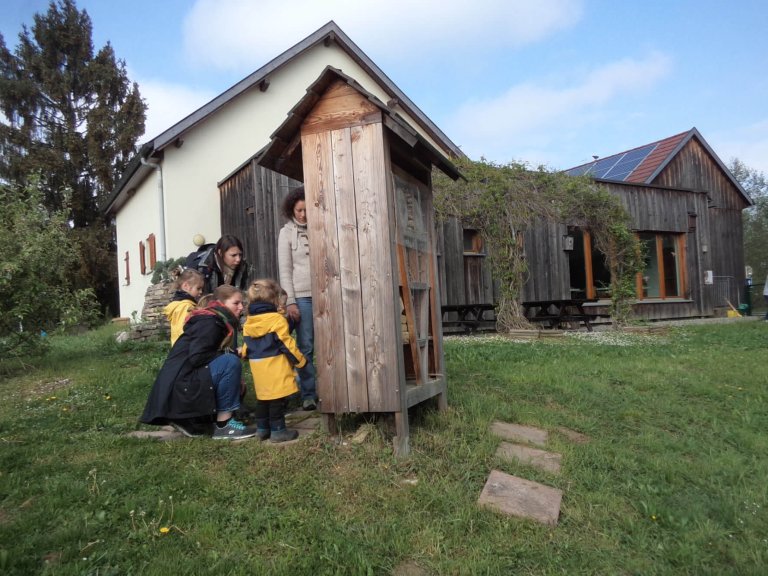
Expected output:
(250, 210)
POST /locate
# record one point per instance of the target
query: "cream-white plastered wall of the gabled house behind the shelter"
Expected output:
(211, 151)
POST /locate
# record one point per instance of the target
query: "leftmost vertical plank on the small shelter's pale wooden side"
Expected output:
(324, 262)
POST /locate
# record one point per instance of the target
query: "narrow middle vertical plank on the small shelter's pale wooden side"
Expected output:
(349, 265)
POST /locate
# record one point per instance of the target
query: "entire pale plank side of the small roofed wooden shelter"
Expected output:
(347, 211)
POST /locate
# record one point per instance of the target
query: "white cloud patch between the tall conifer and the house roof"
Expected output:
(169, 103)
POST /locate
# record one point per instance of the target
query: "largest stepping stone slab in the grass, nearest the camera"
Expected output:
(519, 497)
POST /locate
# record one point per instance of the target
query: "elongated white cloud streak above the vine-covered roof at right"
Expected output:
(533, 115)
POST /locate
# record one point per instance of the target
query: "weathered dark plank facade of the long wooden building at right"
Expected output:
(691, 199)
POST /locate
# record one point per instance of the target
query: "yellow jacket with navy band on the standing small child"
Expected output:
(271, 352)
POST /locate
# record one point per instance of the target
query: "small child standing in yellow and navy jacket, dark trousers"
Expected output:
(273, 356)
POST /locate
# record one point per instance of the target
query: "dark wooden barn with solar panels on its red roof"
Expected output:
(686, 210)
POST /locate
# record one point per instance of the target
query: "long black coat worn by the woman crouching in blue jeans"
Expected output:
(183, 387)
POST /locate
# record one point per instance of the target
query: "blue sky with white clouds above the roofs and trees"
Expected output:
(548, 82)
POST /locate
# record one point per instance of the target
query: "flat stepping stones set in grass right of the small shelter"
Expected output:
(517, 496)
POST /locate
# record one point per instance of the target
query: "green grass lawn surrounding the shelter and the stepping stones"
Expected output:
(673, 479)
